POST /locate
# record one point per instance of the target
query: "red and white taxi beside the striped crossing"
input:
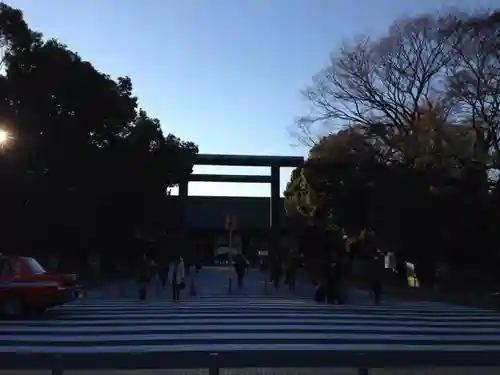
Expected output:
(26, 287)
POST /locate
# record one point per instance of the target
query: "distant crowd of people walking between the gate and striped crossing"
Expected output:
(155, 275)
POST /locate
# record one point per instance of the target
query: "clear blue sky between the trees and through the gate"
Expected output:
(225, 74)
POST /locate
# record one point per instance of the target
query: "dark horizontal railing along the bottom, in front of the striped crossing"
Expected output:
(358, 362)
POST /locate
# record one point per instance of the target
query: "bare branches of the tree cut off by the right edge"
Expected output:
(475, 84)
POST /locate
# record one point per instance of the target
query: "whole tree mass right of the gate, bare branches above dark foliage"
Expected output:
(413, 150)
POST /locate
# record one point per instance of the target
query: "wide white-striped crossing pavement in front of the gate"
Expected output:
(261, 324)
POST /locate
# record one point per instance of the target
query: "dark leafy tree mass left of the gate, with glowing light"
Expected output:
(86, 167)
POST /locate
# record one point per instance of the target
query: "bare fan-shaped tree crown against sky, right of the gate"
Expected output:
(383, 81)
